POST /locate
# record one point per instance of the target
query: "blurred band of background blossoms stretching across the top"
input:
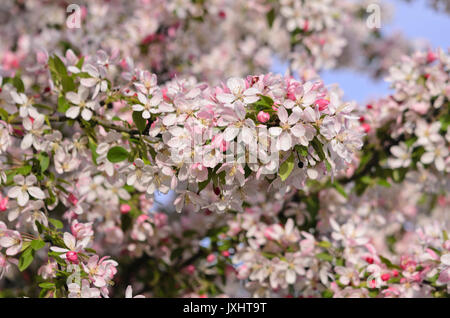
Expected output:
(201, 38)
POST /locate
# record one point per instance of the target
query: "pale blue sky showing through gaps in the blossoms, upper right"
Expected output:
(417, 21)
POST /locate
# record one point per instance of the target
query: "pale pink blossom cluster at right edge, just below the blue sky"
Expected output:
(416, 112)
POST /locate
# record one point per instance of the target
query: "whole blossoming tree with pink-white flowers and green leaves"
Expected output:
(280, 186)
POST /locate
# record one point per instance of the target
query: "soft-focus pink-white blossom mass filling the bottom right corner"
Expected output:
(360, 246)
